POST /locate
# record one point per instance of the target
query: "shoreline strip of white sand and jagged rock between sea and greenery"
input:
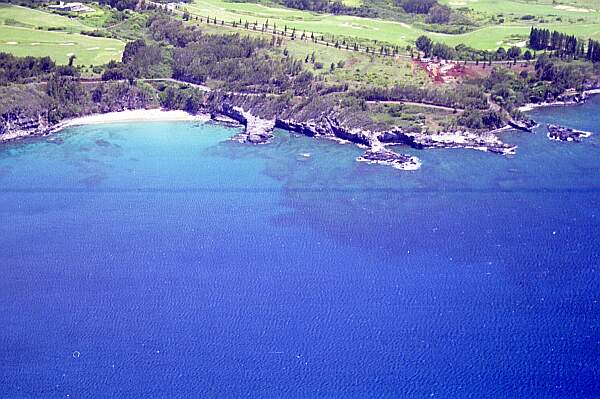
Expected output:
(258, 130)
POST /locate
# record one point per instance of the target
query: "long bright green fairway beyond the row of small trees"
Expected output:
(366, 29)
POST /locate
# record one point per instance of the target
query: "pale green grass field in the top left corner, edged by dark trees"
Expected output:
(23, 31)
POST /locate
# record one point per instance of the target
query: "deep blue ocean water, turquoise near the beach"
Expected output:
(161, 260)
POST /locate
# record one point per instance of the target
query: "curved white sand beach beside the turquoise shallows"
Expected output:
(138, 115)
